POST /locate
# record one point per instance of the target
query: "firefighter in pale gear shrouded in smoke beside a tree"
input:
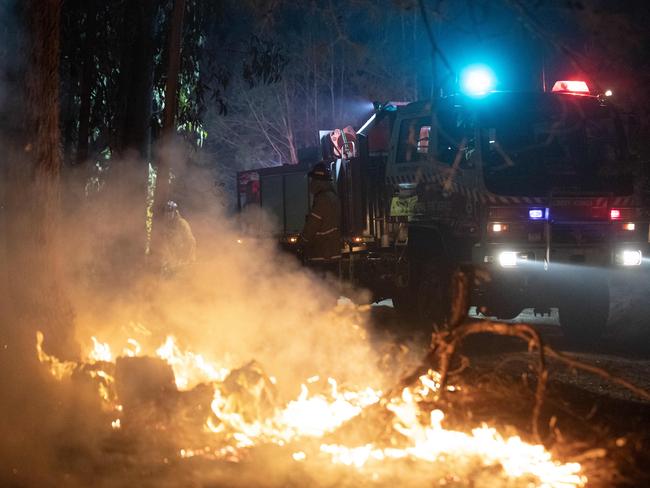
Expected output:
(178, 245)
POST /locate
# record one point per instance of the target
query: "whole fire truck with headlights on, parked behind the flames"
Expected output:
(533, 197)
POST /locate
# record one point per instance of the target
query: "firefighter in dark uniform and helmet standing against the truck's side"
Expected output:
(320, 240)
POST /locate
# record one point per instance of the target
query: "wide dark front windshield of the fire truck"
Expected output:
(554, 143)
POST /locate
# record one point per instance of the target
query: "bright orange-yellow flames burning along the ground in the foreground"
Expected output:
(312, 415)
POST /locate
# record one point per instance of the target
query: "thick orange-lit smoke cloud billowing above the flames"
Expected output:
(241, 300)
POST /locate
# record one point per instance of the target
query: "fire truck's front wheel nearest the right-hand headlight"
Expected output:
(584, 311)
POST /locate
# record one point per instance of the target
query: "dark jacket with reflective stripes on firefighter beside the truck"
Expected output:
(321, 236)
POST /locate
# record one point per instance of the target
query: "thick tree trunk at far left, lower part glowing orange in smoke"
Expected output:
(33, 200)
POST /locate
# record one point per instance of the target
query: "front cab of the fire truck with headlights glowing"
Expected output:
(535, 194)
